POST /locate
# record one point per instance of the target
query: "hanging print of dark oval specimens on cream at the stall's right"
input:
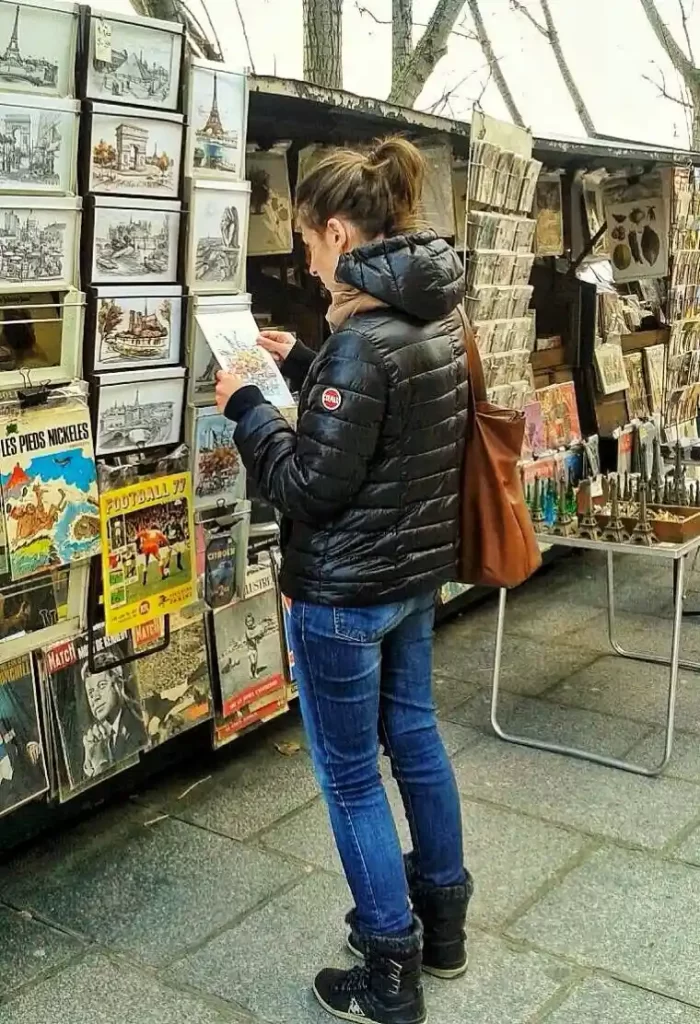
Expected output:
(638, 239)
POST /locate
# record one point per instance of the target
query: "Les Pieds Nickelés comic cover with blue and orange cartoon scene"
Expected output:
(50, 487)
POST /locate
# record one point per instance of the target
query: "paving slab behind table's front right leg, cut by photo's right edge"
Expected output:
(631, 690)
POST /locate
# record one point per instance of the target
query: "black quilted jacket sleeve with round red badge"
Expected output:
(314, 474)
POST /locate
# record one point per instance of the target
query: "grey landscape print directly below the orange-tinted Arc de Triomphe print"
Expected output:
(136, 245)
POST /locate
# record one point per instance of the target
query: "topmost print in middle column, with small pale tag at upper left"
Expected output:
(145, 68)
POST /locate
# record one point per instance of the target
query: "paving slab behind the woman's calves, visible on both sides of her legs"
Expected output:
(511, 858)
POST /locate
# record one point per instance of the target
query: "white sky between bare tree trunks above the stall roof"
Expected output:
(609, 45)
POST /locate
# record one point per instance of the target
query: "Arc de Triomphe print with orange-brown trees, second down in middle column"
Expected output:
(130, 152)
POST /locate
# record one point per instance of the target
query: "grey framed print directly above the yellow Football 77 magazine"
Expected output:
(139, 410)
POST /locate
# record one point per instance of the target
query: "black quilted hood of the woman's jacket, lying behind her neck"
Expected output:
(420, 275)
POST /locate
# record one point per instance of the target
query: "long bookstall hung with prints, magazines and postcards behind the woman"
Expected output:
(147, 237)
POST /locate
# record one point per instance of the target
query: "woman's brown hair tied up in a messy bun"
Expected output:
(378, 191)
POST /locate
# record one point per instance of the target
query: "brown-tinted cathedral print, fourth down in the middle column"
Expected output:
(134, 328)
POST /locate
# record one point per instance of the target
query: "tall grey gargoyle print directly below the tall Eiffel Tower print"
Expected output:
(218, 234)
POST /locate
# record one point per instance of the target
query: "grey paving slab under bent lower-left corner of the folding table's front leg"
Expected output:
(548, 721)
